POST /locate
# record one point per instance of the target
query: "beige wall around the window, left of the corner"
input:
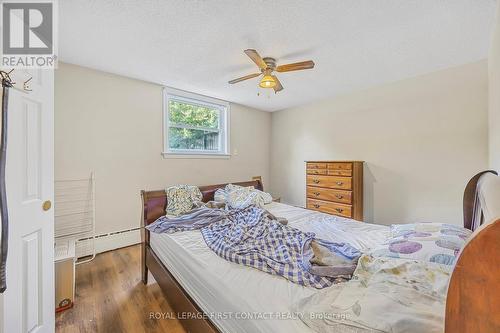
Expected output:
(113, 125)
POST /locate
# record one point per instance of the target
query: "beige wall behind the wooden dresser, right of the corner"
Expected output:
(422, 139)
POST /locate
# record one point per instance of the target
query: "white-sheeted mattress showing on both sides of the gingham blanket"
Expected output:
(238, 298)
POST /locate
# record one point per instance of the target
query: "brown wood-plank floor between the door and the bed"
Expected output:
(110, 297)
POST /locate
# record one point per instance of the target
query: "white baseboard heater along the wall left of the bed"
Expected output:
(107, 242)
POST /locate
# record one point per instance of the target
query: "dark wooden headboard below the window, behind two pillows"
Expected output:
(155, 202)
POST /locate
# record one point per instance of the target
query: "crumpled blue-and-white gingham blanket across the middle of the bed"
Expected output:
(253, 238)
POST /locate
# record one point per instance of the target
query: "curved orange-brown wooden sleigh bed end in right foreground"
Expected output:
(473, 302)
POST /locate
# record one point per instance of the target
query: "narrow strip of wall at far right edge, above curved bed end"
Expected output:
(494, 96)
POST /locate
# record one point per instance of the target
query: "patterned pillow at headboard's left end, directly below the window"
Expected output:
(182, 198)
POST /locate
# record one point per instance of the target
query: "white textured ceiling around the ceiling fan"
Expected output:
(197, 45)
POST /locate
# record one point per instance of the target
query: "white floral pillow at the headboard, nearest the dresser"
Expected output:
(237, 196)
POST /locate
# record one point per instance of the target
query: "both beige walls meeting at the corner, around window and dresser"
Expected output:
(422, 139)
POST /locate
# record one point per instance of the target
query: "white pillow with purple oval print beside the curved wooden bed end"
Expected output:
(434, 242)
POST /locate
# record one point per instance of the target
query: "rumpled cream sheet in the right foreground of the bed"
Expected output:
(384, 295)
